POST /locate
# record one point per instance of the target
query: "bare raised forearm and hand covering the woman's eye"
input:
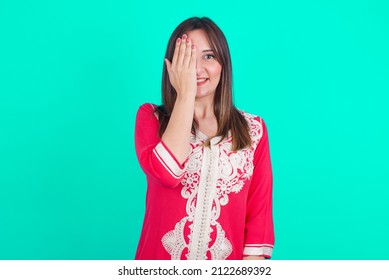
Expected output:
(182, 75)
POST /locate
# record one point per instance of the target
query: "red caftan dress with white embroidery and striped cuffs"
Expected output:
(216, 205)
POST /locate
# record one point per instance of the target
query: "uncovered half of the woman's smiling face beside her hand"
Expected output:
(208, 69)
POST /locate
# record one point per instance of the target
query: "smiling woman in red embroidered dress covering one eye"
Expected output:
(207, 164)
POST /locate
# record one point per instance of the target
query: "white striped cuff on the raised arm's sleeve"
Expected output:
(167, 159)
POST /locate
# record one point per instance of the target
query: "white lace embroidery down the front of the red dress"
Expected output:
(212, 174)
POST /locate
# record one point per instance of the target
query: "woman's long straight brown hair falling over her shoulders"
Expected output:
(227, 116)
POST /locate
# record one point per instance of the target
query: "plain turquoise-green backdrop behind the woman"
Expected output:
(73, 74)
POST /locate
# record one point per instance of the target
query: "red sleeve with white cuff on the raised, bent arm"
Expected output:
(155, 158)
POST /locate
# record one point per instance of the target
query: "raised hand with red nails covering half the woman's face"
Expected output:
(182, 69)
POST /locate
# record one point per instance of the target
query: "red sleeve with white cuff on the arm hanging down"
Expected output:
(259, 230)
